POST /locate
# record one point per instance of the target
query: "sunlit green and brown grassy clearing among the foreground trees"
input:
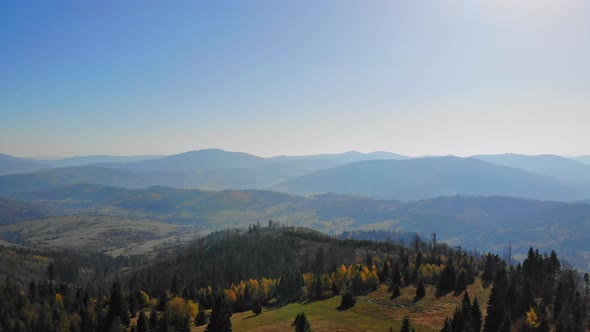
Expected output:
(372, 312)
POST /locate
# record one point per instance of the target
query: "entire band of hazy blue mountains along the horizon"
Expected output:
(379, 174)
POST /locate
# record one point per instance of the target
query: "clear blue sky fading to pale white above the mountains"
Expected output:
(294, 77)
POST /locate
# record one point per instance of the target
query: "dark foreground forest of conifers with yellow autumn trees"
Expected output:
(233, 271)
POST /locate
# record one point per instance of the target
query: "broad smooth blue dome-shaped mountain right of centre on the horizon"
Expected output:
(429, 177)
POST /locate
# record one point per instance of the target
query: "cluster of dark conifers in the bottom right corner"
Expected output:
(537, 295)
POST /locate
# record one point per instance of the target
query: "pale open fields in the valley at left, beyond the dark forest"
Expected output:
(111, 235)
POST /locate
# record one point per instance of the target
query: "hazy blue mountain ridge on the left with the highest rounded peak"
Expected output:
(211, 169)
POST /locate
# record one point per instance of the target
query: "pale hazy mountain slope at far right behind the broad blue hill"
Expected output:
(555, 166)
